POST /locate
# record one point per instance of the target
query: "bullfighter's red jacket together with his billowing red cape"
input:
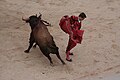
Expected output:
(72, 27)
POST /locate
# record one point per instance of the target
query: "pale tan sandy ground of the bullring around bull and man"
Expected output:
(98, 55)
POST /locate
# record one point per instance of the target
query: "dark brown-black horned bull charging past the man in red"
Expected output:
(41, 36)
